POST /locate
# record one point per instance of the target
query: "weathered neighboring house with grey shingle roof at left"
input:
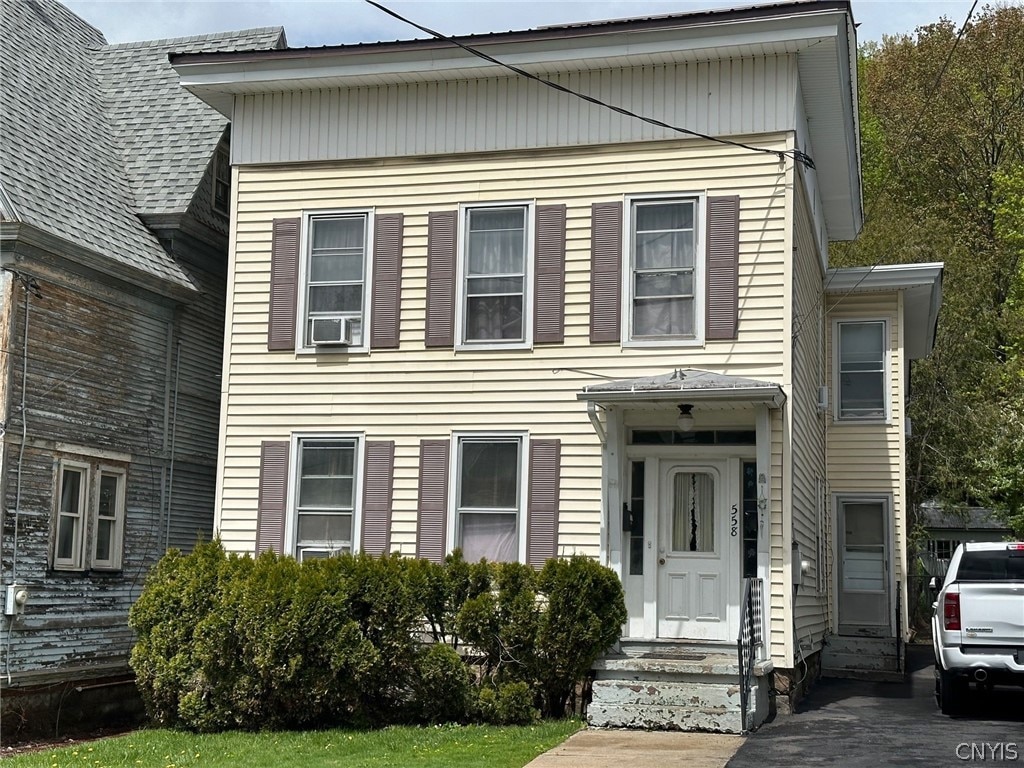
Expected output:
(115, 192)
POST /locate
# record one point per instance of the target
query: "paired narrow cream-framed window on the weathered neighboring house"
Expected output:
(90, 517)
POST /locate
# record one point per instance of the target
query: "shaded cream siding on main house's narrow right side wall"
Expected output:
(808, 456)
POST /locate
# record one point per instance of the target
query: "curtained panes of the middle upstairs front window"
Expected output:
(495, 274)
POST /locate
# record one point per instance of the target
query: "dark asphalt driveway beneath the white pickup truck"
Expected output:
(855, 724)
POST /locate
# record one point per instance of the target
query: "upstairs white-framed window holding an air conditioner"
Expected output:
(334, 303)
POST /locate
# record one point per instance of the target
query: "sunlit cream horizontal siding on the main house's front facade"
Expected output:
(413, 393)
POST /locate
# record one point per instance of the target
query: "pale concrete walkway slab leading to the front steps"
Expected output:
(617, 749)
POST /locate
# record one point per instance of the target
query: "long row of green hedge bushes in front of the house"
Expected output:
(227, 642)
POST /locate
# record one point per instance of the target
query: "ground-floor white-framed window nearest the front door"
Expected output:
(489, 481)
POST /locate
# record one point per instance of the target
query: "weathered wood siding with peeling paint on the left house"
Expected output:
(102, 378)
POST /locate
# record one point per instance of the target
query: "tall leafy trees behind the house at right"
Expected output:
(945, 182)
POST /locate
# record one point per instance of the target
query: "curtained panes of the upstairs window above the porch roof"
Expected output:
(664, 268)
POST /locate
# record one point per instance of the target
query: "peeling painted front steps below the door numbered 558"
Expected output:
(671, 687)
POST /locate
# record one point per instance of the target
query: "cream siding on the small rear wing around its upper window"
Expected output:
(870, 458)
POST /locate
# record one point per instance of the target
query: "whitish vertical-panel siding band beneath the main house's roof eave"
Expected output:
(719, 99)
